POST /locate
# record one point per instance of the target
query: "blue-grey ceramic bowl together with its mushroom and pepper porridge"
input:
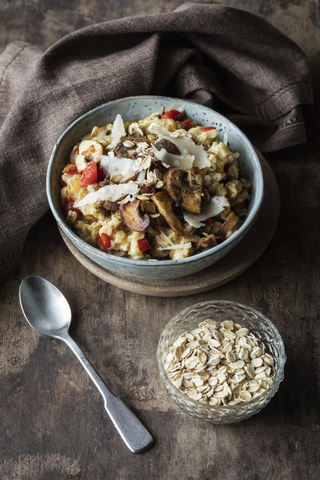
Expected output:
(154, 187)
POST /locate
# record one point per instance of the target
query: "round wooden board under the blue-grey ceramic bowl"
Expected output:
(233, 264)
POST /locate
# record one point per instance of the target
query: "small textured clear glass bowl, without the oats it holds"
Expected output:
(221, 311)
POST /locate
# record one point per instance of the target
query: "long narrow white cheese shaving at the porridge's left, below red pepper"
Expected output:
(110, 193)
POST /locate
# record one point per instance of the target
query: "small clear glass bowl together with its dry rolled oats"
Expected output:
(221, 361)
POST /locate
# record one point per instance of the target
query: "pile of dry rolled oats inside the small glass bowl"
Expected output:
(220, 364)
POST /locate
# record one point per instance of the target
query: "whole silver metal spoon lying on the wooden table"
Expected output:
(48, 312)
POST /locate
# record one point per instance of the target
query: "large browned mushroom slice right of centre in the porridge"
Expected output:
(185, 188)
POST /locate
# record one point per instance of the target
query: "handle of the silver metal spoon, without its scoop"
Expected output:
(133, 433)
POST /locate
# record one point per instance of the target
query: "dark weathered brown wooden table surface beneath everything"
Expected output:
(53, 424)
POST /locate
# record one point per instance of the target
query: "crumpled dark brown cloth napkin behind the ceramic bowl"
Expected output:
(228, 59)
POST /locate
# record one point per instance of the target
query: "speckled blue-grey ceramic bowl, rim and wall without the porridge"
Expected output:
(139, 107)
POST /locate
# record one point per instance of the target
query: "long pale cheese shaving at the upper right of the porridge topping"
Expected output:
(185, 145)
